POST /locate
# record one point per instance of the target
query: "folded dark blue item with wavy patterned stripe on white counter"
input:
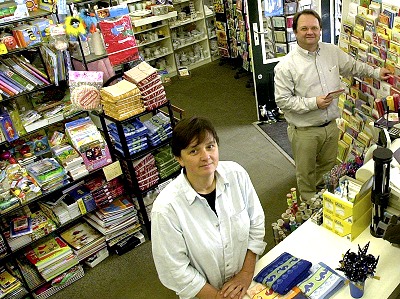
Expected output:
(283, 273)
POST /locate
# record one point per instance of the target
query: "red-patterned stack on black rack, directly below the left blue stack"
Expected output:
(146, 171)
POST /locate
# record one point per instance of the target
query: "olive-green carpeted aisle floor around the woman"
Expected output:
(213, 92)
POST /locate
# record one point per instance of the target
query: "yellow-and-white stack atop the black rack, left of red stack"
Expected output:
(121, 100)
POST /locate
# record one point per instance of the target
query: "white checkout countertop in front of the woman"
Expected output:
(317, 244)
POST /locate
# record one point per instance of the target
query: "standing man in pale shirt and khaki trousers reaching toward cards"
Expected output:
(303, 79)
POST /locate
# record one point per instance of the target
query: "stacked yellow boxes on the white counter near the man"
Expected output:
(346, 218)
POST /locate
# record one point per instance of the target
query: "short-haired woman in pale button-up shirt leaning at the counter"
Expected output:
(207, 225)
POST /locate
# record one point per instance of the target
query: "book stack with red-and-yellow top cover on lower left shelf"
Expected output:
(51, 256)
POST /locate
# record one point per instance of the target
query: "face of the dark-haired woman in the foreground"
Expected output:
(200, 159)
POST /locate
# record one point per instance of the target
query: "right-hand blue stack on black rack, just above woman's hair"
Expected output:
(159, 128)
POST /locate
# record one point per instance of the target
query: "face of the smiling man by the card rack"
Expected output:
(308, 32)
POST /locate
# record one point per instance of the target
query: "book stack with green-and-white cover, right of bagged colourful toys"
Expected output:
(48, 173)
